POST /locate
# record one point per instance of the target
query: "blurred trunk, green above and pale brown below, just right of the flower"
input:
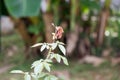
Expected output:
(73, 35)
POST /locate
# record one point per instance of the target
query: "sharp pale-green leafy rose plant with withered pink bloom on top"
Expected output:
(42, 65)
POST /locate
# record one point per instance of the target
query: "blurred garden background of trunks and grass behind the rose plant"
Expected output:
(91, 34)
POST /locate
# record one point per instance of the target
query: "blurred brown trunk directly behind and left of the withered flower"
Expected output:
(48, 19)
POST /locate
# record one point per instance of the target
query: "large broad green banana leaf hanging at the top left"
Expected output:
(23, 8)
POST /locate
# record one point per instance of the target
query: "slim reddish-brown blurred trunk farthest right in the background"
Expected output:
(102, 23)
